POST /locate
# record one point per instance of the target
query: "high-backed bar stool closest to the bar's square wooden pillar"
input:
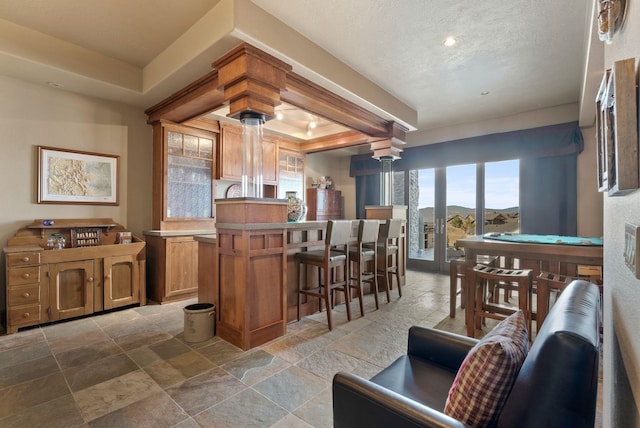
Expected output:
(335, 254)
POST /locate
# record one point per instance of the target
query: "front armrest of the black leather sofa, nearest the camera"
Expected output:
(359, 402)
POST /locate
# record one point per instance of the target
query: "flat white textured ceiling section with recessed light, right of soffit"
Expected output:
(527, 54)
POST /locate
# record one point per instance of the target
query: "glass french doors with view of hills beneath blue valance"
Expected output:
(454, 202)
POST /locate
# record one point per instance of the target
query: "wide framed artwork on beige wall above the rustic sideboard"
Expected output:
(77, 177)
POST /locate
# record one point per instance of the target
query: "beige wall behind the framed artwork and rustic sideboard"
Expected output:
(37, 115)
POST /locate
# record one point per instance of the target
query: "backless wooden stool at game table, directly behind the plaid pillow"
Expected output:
(484, 279)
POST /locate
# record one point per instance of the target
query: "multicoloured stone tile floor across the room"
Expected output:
(132, 368)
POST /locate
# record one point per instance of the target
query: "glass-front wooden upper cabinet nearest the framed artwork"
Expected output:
(187, 178)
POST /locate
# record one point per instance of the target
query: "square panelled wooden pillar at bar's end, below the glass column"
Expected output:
(252, 261)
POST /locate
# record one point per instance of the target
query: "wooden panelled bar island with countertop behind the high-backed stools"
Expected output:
(248, 271)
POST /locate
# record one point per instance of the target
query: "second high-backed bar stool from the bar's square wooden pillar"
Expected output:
(361, 256)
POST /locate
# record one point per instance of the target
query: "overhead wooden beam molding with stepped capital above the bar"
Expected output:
(248, 78)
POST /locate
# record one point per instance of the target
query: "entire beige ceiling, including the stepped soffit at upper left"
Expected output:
(527, 55)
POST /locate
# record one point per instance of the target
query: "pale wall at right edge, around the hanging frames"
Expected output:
(622, 289)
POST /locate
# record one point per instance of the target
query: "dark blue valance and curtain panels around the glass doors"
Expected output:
(548, 168)
